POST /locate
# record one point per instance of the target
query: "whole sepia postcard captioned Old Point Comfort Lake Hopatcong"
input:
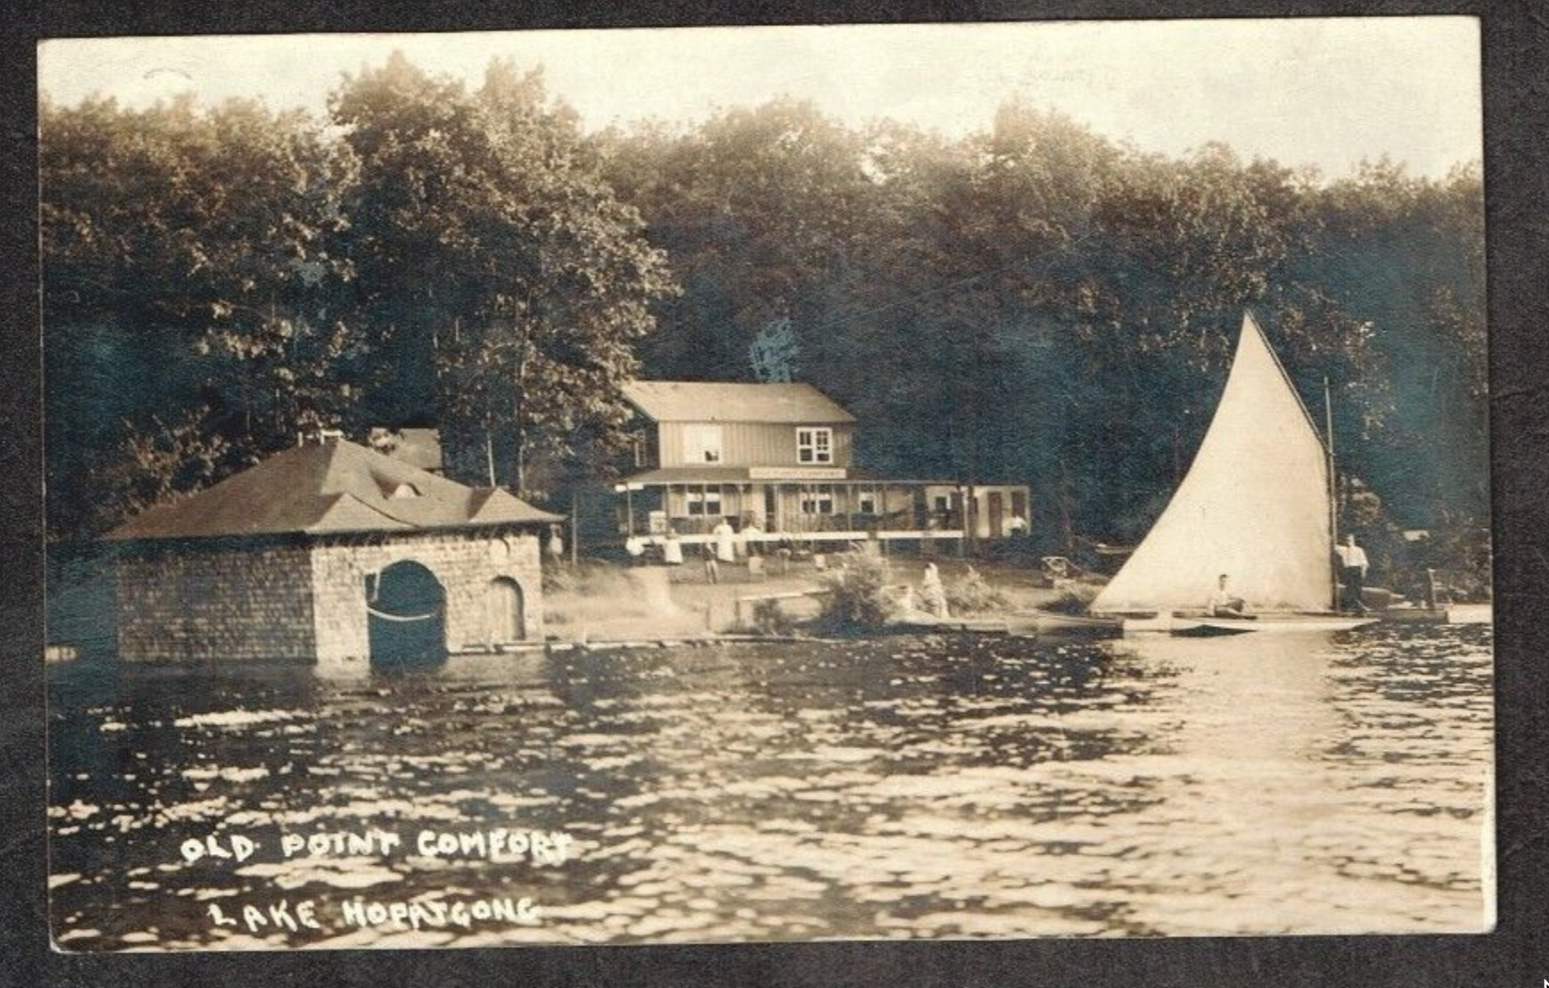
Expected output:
(768, 484)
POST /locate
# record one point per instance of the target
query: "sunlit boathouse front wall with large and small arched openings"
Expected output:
(465, 564)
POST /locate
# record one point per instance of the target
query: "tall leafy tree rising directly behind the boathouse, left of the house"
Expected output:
(507, 281)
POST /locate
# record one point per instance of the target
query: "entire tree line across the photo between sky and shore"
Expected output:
(1032, 303)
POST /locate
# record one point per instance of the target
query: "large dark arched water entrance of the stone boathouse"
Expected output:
(407, 617)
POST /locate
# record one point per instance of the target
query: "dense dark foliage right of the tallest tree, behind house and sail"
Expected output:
(1040, 304)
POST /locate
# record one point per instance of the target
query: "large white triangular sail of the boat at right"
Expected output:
(1255, 506)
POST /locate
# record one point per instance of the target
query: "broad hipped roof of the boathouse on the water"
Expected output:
(325, 489)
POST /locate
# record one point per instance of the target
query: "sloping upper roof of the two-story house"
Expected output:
(720, 402)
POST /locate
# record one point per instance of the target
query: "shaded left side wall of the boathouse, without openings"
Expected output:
(216, 603)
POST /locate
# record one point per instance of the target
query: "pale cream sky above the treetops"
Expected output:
(1305, 92)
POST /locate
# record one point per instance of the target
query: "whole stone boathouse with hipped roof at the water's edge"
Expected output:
(331, 554)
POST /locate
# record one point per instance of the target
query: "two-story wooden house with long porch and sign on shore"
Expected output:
(783, 458)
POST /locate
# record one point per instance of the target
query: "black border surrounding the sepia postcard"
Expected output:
(1517, 182)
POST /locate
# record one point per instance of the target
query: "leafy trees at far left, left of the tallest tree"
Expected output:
(190, 261)
